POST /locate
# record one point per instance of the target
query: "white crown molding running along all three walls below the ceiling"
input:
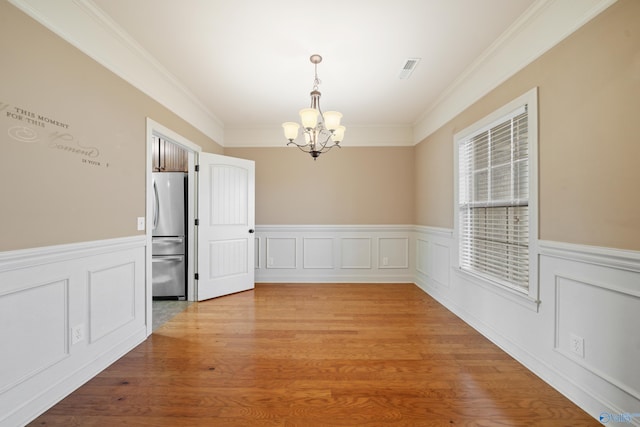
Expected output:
(81, 23)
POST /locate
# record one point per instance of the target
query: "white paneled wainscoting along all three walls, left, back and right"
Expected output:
(67, 312)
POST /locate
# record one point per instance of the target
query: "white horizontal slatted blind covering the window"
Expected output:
(494, 201)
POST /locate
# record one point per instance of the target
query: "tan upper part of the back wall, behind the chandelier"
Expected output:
(352, 185)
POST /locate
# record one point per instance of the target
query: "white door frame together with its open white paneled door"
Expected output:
(221, 241)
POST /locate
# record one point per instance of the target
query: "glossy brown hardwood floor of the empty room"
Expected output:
(316, 355)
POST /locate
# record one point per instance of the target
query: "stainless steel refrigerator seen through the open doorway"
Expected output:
(168, 241)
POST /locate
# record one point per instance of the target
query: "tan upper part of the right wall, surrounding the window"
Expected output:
(589, 150)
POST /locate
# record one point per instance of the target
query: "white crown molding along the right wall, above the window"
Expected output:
(545, 24)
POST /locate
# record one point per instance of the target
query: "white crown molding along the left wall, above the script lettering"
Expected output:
(85, 26)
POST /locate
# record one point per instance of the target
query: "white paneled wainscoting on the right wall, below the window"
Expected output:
(583, 339)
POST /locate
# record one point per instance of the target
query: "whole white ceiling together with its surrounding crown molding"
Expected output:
(237, 69)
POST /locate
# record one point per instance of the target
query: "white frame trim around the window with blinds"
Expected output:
(527, 297)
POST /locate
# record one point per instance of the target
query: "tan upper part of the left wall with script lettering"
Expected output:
(50, 191)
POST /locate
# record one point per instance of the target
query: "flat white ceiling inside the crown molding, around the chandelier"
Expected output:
(248, 62)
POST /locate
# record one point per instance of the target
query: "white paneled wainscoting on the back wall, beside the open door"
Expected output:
(336, 254)
